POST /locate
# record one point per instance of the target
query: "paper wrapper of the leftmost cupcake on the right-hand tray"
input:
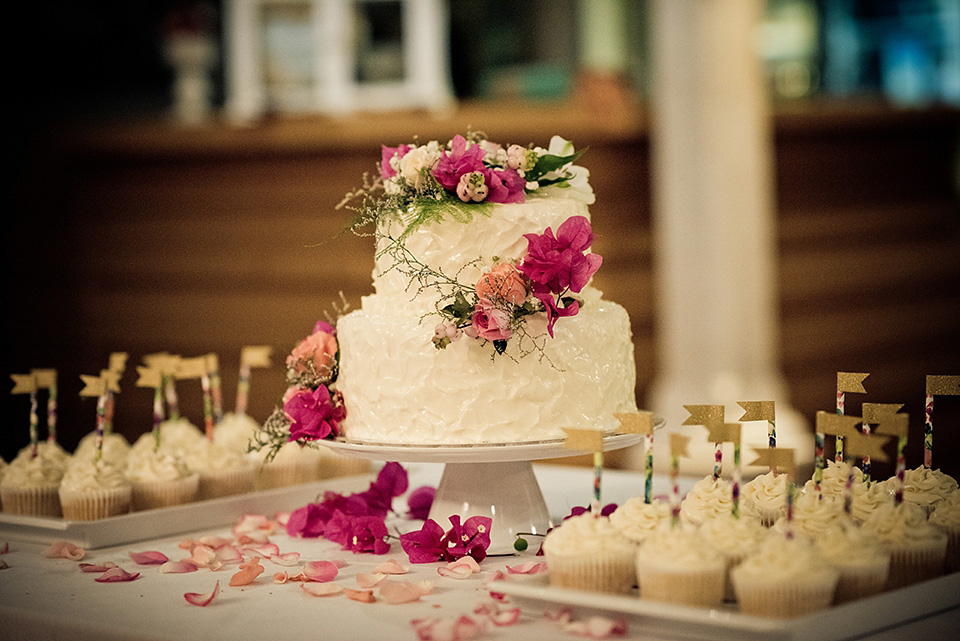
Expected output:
(611, 572)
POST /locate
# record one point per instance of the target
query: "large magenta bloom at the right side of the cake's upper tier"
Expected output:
(558, 263)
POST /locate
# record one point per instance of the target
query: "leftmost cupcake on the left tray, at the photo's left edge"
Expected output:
(31, 482)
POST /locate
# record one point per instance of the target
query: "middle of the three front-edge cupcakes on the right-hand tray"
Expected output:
(678, 565)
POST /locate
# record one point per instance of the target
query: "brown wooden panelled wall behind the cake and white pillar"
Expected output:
(143, 237)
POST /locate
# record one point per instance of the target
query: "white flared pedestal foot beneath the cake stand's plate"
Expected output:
(507, 492)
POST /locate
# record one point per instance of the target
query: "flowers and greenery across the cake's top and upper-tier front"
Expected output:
(433, 182)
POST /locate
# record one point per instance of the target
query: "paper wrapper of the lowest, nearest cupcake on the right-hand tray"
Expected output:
(787, 599)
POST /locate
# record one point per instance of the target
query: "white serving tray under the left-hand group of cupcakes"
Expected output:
(161, 522)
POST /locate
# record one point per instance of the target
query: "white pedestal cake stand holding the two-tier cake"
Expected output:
(495, 480)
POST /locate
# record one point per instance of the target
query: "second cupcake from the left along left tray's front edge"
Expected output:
(94, 489)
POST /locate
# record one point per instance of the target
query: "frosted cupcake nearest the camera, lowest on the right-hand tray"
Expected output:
(784, 578)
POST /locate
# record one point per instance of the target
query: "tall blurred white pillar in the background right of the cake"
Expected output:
(714, 226)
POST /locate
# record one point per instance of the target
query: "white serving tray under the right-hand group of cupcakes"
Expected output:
(669, 621)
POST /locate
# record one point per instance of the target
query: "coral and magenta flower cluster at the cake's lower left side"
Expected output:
(312, 407)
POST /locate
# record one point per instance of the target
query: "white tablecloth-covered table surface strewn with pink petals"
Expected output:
(52, 599)
